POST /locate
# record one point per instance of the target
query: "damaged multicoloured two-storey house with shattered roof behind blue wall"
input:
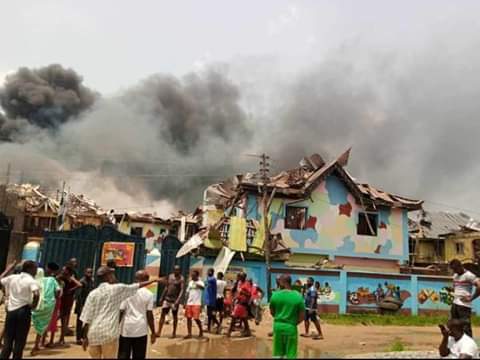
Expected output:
(319, 218)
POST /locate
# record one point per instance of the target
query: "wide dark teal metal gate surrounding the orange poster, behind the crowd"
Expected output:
(86, 244)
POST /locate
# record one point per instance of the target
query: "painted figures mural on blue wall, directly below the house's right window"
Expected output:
(365, 296)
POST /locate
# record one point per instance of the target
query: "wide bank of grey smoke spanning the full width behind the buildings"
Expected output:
(411, 122)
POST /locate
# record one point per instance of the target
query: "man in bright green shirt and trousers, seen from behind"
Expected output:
(288, 310)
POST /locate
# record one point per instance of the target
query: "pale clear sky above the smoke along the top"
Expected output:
(113, 44)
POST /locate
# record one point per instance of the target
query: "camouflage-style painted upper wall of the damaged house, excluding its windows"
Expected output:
(331, 226)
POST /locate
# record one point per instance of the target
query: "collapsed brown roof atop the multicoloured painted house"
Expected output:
(301, 181)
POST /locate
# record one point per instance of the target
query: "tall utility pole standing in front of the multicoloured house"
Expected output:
(264, 174)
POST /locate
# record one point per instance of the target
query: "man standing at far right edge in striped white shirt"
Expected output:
(463, 283)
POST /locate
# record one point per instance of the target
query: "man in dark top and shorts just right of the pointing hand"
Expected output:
(171, 298)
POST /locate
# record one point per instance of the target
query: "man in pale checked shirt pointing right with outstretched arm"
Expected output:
(101, 313)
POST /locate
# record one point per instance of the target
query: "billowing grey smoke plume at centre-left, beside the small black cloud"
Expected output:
(164, 139)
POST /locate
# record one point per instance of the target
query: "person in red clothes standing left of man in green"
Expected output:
(241, 302)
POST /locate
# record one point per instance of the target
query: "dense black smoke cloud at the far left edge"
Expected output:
(47, 97)
